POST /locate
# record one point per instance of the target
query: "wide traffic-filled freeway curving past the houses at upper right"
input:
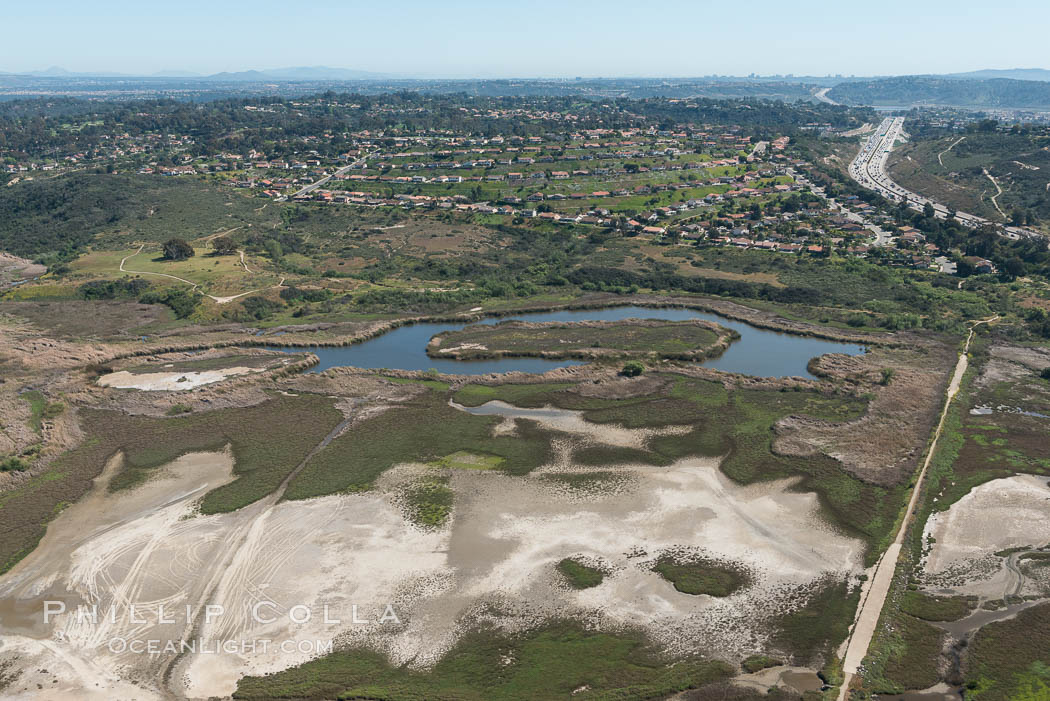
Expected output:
(869, 168)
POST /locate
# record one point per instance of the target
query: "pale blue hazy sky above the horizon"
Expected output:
(529, 38)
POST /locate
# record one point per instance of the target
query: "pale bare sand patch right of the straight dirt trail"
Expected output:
(1005, 514)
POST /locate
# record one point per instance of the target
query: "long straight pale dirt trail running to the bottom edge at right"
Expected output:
(877, 589)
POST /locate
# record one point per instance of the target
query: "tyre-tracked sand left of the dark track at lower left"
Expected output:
(107, 550)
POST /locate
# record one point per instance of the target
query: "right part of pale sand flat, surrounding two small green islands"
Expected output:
(775, 535)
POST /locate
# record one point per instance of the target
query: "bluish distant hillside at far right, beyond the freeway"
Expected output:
(927, 90)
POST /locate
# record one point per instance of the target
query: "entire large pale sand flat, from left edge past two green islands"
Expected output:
(494, 562)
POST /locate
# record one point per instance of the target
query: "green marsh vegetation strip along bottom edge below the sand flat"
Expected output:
(551, 663)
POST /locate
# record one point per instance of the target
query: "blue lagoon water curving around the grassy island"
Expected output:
(759, 352)
